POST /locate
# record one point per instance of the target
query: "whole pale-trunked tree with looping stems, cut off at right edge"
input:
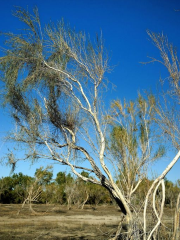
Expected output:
(166, 108)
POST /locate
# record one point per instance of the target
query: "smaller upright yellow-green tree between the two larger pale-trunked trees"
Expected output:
(133, 143)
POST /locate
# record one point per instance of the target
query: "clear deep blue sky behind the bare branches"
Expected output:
(124, 24)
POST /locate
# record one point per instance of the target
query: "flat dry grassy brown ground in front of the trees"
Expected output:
(55, 222)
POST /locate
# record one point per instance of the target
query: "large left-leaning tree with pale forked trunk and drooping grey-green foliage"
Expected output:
(53, 80)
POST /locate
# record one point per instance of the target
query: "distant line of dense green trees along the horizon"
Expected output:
(67, 190)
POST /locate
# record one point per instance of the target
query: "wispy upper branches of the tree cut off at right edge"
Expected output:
(167, 103)
